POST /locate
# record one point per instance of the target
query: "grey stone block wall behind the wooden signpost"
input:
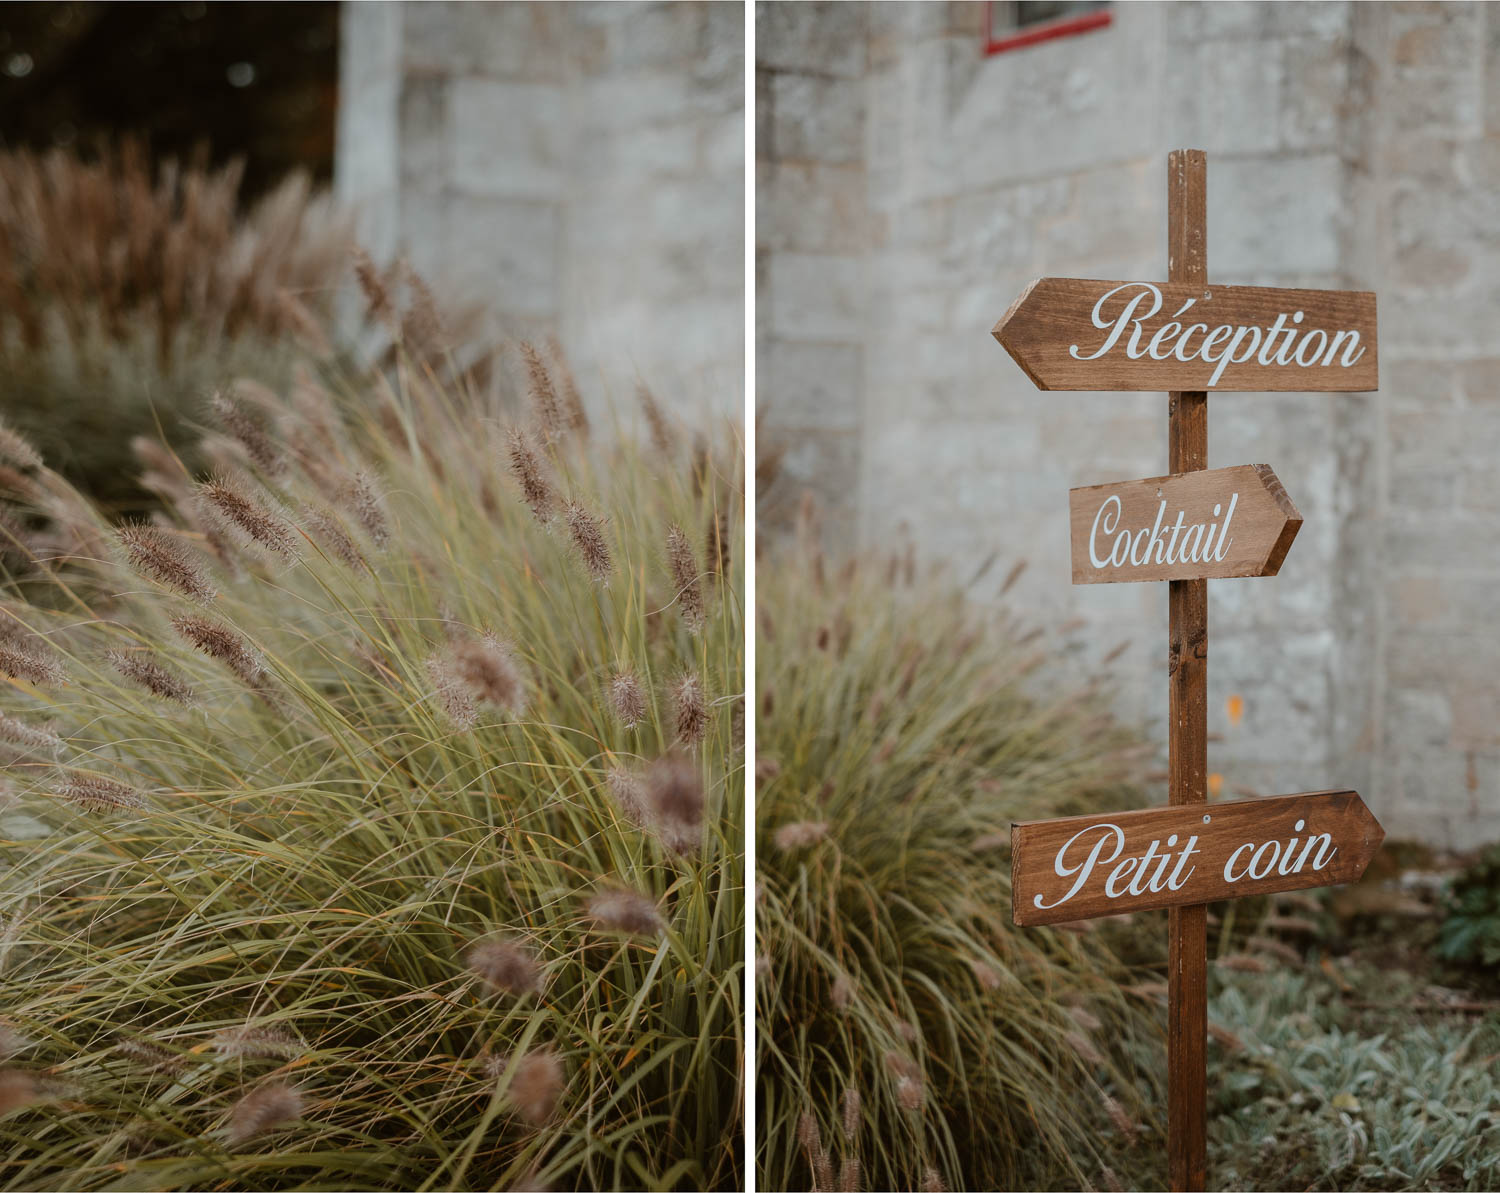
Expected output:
(910, 185)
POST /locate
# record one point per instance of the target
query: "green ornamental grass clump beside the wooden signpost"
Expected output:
(910, 1036)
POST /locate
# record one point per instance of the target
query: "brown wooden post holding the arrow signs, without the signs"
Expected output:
(1187, 667)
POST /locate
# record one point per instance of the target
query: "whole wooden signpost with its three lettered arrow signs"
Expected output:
(1189, 527)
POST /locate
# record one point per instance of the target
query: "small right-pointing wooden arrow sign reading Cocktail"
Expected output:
(1193, 526)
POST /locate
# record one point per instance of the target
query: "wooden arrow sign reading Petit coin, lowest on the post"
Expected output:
(1079, 868)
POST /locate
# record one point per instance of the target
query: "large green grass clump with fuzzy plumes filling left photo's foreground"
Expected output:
(329, 880)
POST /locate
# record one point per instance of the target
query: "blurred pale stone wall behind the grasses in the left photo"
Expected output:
(578, 167)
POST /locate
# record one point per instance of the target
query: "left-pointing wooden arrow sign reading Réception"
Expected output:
(1072, 334)
